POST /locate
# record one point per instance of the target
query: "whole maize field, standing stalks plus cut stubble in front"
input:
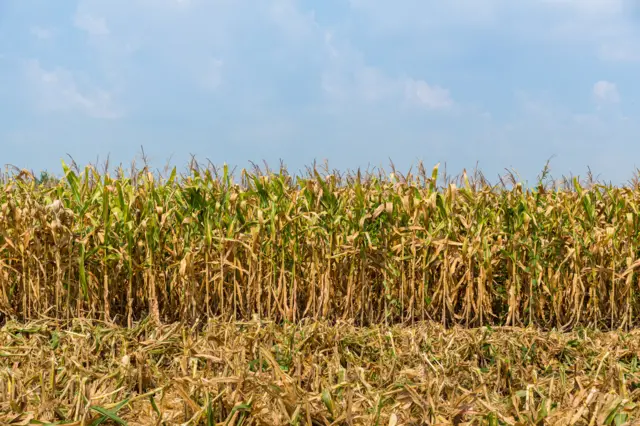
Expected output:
(265, 298)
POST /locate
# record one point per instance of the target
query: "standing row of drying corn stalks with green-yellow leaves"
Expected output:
(365, 248)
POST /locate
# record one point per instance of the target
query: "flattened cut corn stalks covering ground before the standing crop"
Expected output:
(260, 373)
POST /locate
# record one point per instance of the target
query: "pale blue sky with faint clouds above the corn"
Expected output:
(497, 84)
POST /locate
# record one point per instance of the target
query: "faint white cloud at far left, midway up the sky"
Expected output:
(59, 90)
